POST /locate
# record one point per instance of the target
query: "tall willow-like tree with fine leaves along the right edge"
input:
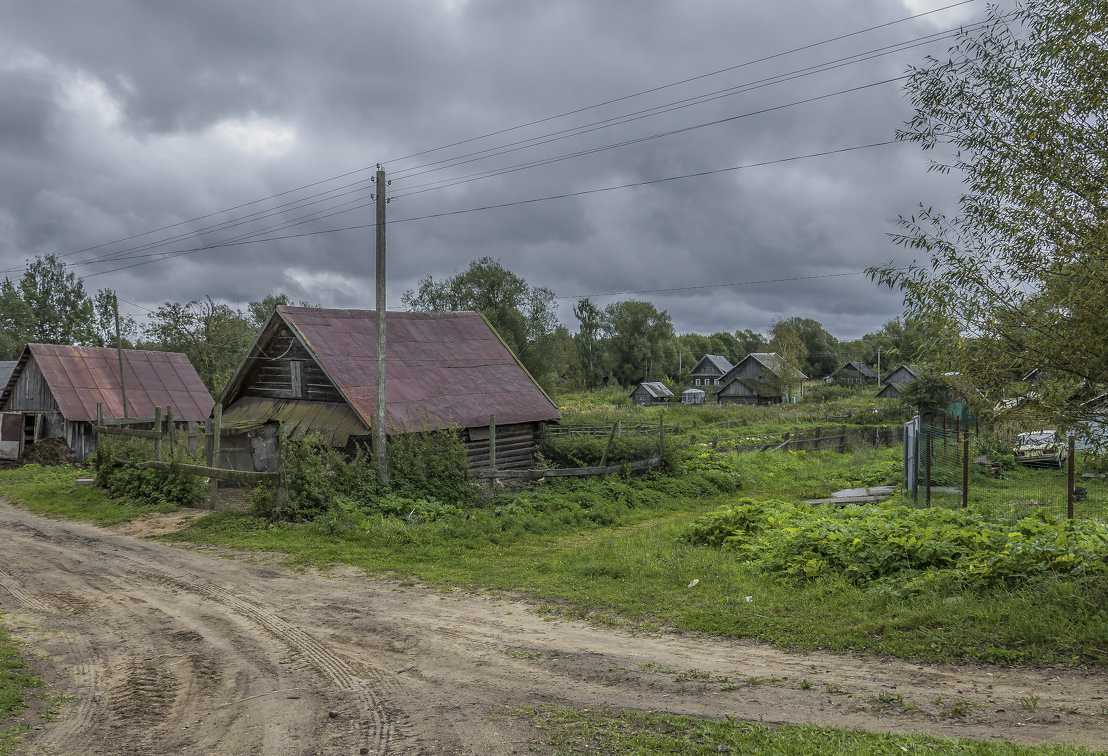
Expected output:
(1020, 274)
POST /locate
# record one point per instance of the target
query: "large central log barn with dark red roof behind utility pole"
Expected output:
(313, 371)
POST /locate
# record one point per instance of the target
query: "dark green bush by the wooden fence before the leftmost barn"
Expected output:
(116, 472)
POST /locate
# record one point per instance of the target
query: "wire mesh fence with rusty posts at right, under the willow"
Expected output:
(945, 466)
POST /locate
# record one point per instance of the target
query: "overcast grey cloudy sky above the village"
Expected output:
(122, 118)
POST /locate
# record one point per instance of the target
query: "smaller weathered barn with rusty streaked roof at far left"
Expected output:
(54, 392)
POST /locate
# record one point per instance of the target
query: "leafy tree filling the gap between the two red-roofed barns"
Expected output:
(214, 338)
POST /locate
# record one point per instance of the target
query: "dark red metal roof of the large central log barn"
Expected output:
(442, 369)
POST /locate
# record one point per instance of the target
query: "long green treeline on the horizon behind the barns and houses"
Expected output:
(623, 343)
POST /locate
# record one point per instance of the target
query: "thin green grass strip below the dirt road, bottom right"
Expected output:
(633, 734)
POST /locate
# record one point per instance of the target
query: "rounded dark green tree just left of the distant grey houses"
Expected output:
(638, 339)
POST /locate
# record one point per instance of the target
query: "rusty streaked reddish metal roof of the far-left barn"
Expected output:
(80, 377)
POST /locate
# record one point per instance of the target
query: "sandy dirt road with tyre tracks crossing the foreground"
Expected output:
(170, 650)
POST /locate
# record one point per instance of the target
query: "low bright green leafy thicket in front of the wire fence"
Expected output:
(904, 550)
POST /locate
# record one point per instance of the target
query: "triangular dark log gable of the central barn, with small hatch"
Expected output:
(289, 372)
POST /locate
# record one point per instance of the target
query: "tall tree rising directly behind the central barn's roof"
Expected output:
(525, 316)
